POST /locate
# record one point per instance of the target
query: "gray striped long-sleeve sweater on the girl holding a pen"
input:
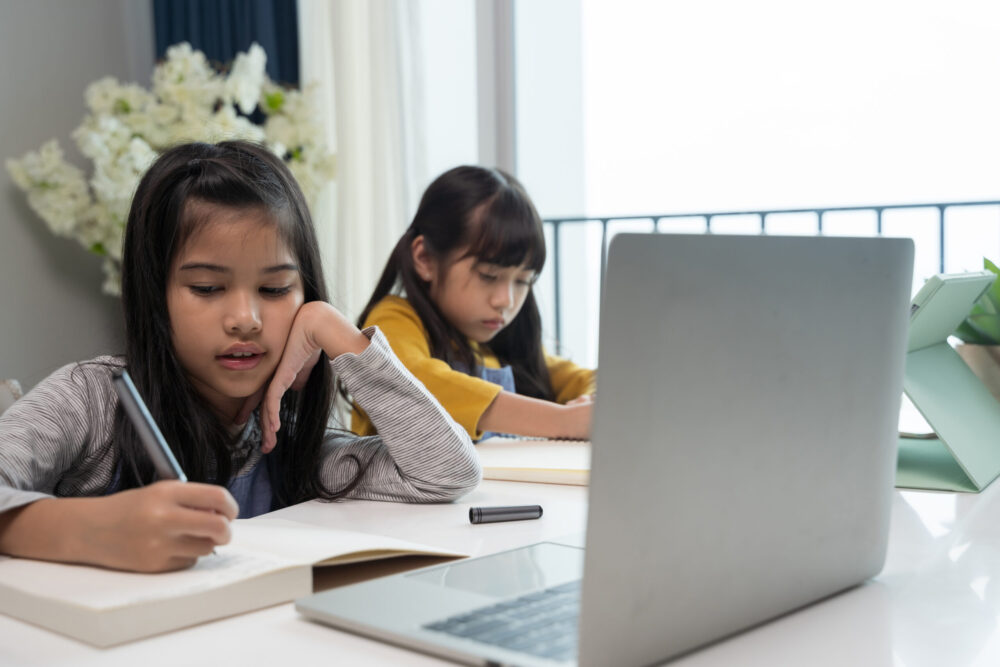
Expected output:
(51, 439)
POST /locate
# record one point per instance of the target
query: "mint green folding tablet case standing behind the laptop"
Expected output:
(965, 455)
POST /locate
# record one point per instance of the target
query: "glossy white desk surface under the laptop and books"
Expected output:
(934, 604)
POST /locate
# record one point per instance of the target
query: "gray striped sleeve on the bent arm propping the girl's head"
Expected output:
(420, 453)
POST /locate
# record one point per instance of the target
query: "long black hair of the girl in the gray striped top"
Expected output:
(164, 214)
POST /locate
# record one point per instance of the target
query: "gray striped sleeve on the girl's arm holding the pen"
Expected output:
(52, 438)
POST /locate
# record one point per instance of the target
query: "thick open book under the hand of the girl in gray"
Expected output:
(268, 561)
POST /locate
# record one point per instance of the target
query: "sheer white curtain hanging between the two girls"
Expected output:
(365, 58)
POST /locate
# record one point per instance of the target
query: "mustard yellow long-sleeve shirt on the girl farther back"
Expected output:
(465, 397)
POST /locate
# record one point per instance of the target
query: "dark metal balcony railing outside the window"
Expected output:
(554, 226)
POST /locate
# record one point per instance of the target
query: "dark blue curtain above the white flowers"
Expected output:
(223, 28)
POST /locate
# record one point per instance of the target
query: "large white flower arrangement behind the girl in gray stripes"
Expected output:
(127, 126)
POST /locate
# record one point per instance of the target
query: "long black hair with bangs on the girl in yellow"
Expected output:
(487, 213)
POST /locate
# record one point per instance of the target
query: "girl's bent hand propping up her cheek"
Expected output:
(318, 327)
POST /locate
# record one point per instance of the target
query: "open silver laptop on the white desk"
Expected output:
(744, 447)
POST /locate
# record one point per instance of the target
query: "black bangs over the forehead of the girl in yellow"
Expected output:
(507, 231)
